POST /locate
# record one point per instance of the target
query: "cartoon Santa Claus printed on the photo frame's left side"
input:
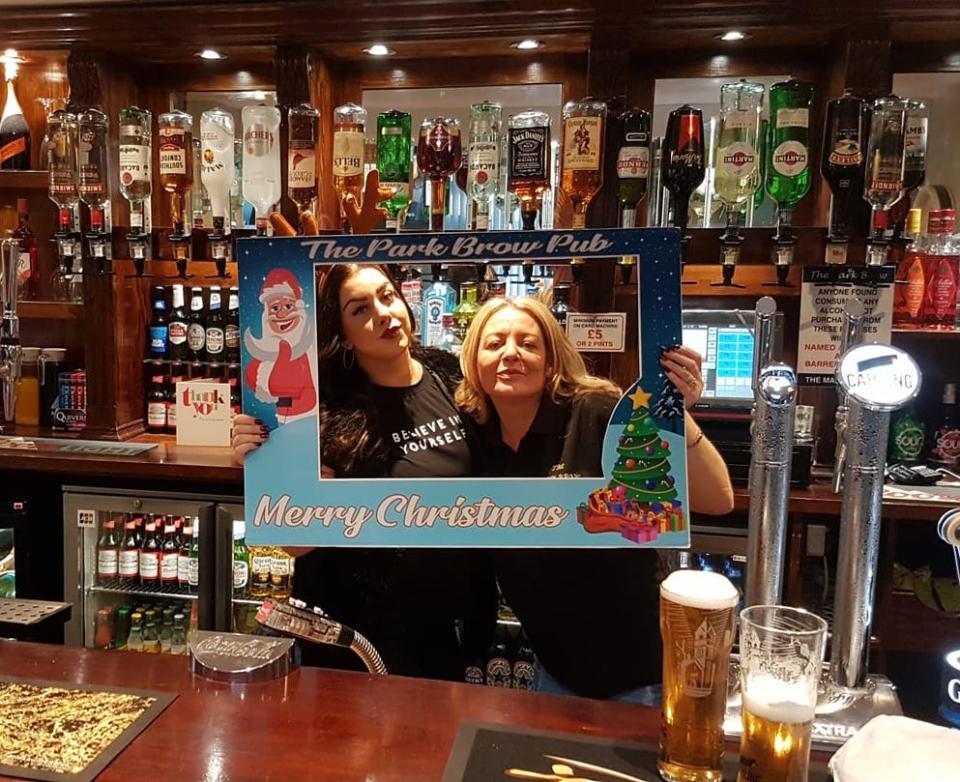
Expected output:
(282, 369)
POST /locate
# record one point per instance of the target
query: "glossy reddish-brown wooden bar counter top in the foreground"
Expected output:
(316, 724)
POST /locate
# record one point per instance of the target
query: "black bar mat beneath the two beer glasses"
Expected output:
(486, 752)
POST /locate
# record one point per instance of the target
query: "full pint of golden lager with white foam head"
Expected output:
(697, 623)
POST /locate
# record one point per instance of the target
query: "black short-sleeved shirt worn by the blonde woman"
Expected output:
(591, 615)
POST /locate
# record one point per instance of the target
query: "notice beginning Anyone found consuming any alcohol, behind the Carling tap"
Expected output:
(825, 291)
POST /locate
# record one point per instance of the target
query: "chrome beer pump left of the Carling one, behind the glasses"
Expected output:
(774, 408)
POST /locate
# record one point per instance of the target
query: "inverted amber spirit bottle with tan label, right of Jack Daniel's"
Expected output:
(582, 170)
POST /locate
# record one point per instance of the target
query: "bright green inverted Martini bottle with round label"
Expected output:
(788, 162)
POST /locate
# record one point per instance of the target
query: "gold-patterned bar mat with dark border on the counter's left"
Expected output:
(58, 731)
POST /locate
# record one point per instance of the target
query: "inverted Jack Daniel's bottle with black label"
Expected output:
(528, 176)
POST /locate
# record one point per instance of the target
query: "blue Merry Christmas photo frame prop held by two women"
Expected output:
(641, 500)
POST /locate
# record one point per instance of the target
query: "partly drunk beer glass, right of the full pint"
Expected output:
(781, 656)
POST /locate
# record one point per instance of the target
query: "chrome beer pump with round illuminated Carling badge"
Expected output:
(876, 380)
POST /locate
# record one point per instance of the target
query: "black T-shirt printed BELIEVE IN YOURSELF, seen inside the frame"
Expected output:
(424, 429)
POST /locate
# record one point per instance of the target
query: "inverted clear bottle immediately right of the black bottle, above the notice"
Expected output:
(883, 179)
